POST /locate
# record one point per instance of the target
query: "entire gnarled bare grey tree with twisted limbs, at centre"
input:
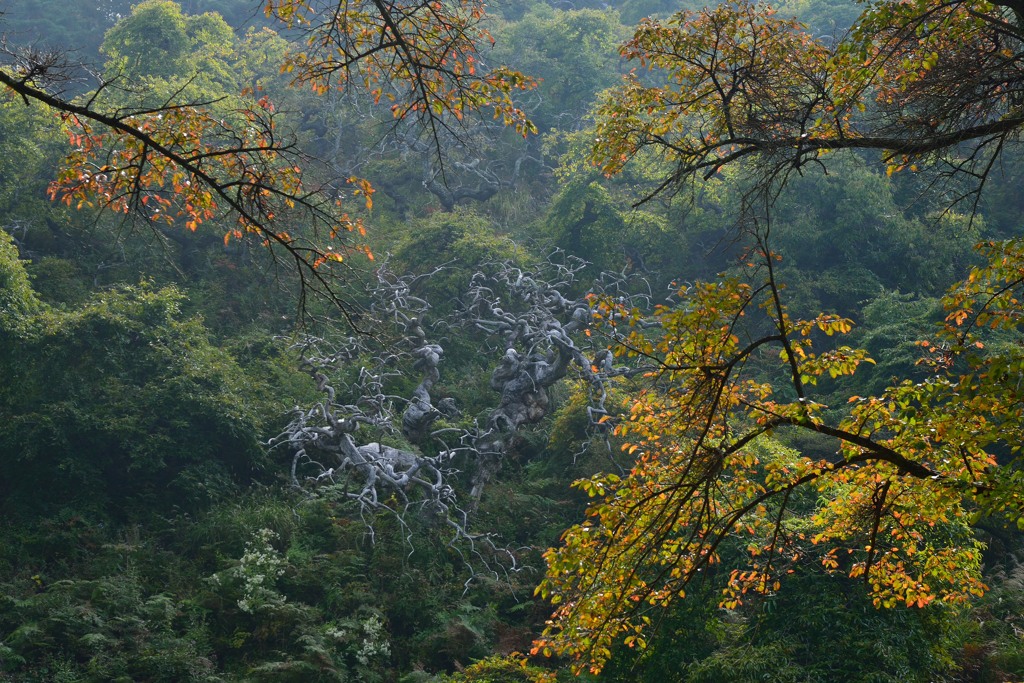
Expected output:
(539, 323)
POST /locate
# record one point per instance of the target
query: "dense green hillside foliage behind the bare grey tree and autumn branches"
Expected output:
(148, 533)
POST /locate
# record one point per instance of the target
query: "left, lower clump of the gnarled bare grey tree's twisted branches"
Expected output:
(324, 439)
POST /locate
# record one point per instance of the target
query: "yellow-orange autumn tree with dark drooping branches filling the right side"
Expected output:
(935, 88)
